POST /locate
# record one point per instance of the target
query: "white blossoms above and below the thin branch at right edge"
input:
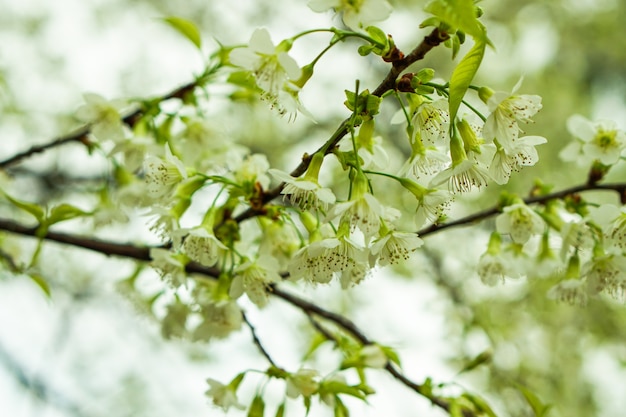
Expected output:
(592, 255)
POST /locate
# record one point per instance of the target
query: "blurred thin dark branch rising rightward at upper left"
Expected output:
(81, 134)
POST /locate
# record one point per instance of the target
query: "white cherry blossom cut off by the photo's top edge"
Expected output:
(356, 13)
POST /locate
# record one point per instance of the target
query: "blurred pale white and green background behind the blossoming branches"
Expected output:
(93, 349)
